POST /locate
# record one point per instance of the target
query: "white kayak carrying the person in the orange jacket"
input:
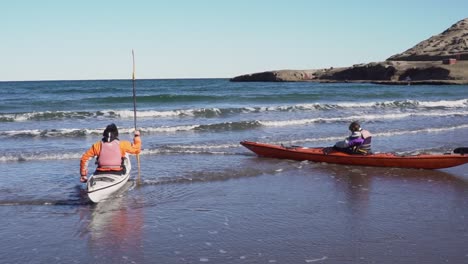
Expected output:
(103, 185)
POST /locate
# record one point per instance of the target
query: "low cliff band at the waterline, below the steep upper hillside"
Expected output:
(386, 72)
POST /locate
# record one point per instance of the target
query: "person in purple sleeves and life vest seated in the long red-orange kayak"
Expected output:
(358, 143)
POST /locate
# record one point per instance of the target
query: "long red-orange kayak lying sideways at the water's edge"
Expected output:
(421, 161)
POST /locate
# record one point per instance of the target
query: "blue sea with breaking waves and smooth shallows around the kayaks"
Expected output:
(204, 198)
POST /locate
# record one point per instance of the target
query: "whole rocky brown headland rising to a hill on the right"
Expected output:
(441, 59)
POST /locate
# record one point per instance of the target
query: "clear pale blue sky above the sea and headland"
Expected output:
(60, 39)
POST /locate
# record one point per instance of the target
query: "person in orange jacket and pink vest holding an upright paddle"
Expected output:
(110, 152)
